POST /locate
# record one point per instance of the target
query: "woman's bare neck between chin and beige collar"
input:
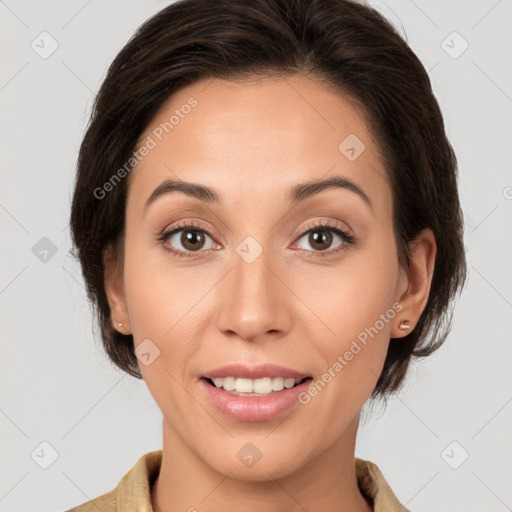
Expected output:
(325, 482)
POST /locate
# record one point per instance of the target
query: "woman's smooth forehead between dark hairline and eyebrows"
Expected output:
(253, 139)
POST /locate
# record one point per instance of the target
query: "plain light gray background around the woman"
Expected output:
(57, 386)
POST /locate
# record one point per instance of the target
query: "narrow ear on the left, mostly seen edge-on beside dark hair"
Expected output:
(114, 289)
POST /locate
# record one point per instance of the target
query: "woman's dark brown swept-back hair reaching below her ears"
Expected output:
(346, 44)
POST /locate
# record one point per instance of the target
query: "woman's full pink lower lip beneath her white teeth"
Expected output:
(254, 408)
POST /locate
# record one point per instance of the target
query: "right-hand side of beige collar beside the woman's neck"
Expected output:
(374, 487)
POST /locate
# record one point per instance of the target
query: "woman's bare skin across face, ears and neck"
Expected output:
(251, 141)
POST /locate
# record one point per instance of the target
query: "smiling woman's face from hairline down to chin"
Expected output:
(262, 276)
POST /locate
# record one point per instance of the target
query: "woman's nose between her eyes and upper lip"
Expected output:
(254, 301)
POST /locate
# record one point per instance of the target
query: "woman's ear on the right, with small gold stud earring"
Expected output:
(415, 283)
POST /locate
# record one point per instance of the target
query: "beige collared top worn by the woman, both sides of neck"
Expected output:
(133, 493)
